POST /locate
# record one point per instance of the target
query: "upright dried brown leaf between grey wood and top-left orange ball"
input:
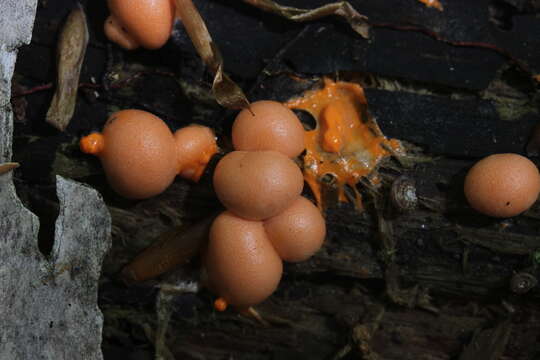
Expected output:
(70, 56)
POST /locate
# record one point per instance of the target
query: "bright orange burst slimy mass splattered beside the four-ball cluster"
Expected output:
(346, 143)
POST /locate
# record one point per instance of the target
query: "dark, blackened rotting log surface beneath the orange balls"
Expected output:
(445, 295)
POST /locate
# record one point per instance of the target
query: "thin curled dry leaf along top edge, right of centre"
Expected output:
(344, 9)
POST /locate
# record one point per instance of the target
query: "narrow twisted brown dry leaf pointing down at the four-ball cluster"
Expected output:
(226, 92)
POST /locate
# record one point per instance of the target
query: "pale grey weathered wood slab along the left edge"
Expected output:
(48, 305)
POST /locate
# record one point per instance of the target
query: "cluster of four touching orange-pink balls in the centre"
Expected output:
(267, 221)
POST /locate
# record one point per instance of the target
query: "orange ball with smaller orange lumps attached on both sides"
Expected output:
(141, 156)
